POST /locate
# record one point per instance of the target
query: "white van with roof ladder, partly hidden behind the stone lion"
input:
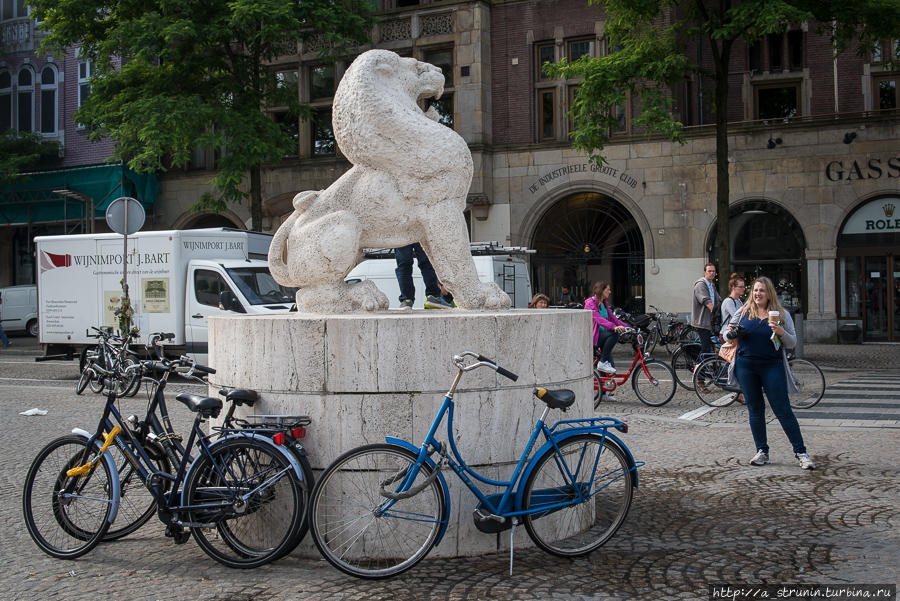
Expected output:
(493, 262)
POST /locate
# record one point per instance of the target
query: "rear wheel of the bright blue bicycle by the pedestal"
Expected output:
(576, 530)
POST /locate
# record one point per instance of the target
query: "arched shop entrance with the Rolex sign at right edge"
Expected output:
(868, 269)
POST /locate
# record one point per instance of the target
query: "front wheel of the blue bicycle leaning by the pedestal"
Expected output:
(347, 495)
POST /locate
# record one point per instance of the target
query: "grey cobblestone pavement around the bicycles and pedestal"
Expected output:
(702, 516)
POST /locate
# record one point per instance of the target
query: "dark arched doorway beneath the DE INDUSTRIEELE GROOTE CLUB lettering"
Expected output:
(586, 237)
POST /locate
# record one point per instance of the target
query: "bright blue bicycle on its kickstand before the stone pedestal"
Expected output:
(379, 509)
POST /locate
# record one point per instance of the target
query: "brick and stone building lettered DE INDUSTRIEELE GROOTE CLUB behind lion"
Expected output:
(814, 162)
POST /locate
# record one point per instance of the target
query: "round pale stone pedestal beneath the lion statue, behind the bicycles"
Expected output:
(362, 377)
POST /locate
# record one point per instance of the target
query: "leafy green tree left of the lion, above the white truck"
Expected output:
(174, 75)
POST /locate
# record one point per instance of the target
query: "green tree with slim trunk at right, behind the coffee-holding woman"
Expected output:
(651, 38)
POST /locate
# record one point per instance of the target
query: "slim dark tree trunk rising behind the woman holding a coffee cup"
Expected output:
(723, 184)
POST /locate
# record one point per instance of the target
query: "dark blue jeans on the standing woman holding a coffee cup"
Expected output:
(756, 375)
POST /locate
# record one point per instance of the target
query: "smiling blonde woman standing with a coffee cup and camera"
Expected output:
(763, 330)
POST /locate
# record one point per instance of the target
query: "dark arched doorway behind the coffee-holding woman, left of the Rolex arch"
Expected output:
(767, 240)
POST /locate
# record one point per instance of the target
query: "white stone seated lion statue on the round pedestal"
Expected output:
(408, 183)
